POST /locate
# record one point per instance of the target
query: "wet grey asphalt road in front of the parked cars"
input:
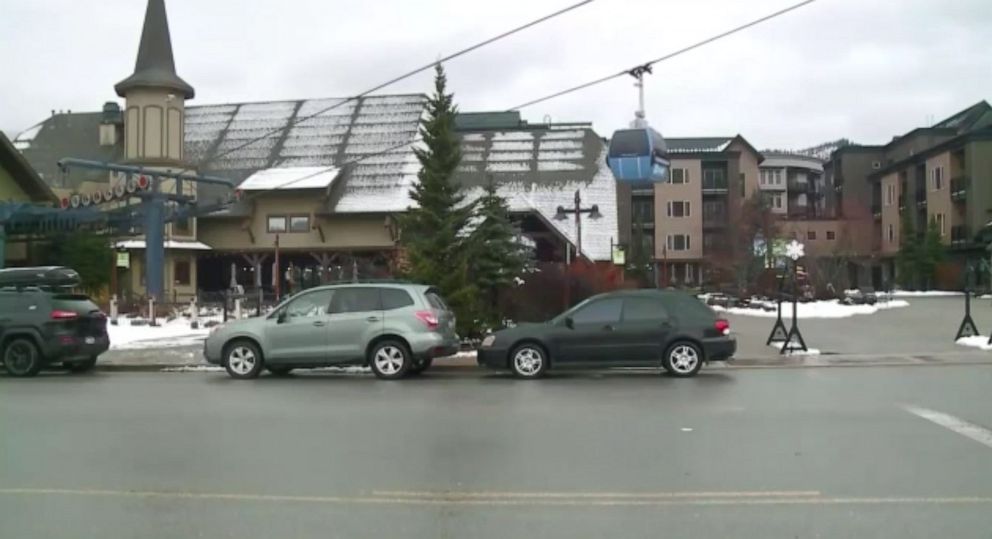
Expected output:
(829, 452)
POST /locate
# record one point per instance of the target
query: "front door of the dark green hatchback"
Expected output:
(592, 336)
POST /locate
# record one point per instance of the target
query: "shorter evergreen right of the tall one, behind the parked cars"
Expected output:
(498, 258)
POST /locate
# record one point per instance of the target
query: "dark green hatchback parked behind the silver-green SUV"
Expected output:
(664, 328)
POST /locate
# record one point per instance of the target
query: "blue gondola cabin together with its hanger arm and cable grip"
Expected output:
(638, 155)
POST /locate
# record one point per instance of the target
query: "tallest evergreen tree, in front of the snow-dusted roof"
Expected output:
(433, 231)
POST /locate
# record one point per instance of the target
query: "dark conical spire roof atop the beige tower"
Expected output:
(155, 67)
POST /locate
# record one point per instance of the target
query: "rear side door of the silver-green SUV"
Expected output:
(356, 318)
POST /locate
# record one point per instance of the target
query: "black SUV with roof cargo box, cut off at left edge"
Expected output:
(43, 322)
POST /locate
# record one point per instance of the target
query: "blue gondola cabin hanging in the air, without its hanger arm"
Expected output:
(638, 155)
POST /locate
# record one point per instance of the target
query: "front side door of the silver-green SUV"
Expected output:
(298, 332)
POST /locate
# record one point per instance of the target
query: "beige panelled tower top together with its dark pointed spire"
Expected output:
(155, 96)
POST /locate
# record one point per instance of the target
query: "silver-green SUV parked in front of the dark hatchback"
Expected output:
(396, 329)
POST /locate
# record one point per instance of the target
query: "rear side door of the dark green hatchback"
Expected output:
(644, 329)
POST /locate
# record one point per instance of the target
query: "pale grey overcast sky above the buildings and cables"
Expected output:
(861, 69)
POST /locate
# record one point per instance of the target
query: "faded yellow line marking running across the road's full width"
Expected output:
(734, 499)
